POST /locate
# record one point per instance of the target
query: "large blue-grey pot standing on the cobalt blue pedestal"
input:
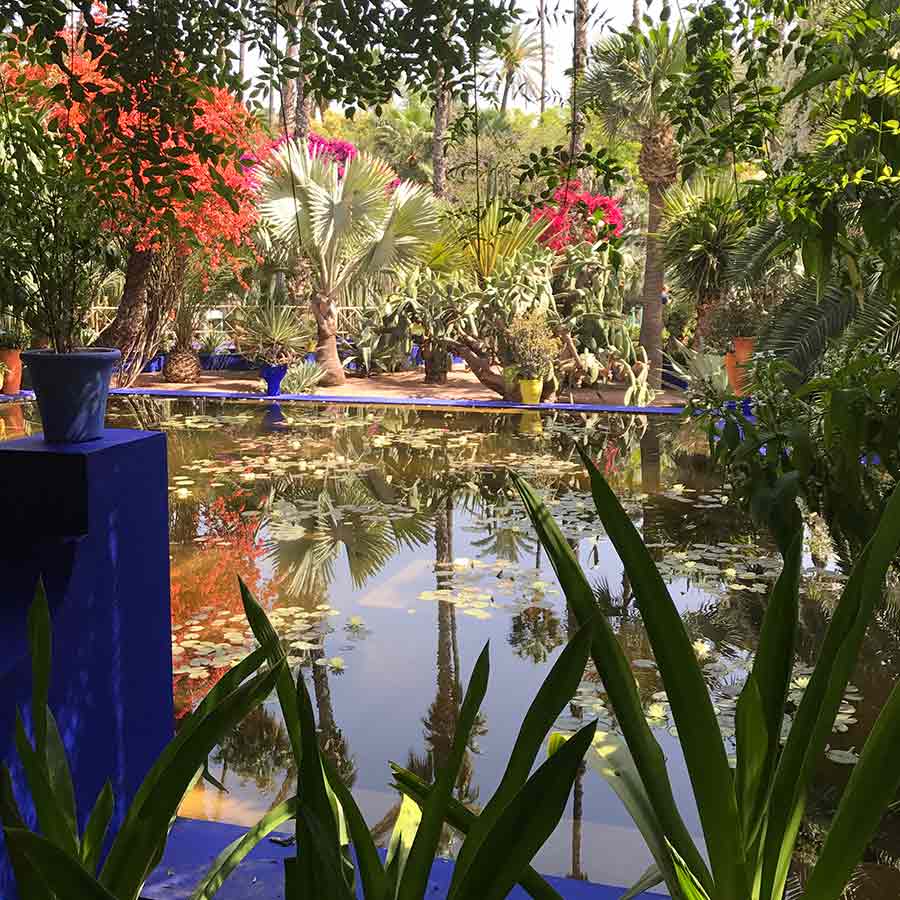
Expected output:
(72, 390)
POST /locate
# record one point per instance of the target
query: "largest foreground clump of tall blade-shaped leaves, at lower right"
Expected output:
(750, 816)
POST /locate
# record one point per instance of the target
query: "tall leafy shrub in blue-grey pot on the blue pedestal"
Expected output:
(53, 260)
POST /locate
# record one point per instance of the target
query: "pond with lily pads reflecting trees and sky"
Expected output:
(389, 546)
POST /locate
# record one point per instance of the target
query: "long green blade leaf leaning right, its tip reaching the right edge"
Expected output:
(822, 698)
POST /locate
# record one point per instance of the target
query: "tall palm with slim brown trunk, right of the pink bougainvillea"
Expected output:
(625, 82)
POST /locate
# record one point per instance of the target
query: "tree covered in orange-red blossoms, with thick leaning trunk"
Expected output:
(163, 189)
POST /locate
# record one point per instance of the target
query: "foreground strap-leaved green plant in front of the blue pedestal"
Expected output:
(62, 860)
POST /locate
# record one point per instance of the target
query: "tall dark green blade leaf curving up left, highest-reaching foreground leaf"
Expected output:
(688, 695)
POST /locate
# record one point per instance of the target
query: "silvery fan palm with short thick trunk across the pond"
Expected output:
(351, 225)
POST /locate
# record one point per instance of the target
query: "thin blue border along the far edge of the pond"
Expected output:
(498, 405)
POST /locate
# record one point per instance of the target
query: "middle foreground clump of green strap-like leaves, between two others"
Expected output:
(499, 843)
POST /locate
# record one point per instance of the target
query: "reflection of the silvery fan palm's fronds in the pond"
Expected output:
(308, 526)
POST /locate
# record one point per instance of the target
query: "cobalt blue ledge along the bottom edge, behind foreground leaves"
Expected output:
(194, 844)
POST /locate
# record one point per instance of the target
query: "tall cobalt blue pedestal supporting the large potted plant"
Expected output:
(92, 520)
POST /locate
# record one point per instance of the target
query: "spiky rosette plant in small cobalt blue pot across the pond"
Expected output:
(274, 336)
